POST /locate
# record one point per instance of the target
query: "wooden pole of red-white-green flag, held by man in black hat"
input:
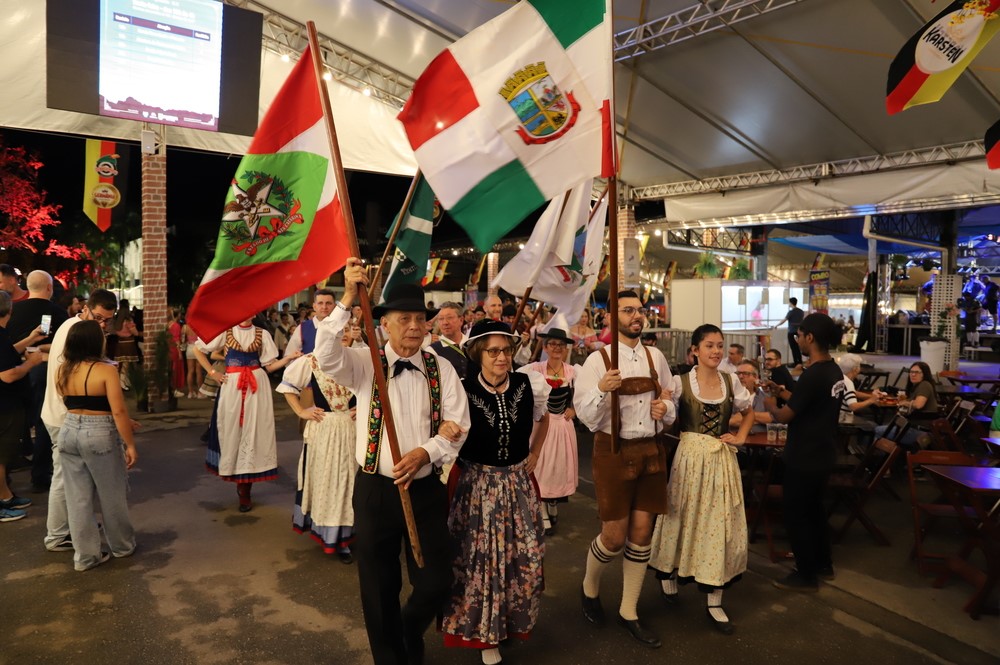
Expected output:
(366, 307)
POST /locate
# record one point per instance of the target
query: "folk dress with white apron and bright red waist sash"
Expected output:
(241, 442)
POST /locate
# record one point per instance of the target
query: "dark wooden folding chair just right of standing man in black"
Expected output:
(854, 488)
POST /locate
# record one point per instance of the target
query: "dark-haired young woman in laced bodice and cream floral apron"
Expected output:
(702, 537)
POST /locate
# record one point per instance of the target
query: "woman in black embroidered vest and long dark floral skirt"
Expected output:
(495, 515)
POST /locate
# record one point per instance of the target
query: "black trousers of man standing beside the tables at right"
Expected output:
(805, 519)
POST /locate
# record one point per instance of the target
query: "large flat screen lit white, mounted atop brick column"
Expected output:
(188, 63)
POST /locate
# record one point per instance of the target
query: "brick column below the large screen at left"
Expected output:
(154, 257)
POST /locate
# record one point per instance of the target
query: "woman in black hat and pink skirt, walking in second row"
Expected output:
(558, 468)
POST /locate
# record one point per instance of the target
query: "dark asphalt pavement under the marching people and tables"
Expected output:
(208, 585)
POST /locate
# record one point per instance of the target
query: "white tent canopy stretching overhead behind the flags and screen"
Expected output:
(713, 90)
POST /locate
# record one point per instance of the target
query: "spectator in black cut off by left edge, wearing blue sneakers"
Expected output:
(13, 405)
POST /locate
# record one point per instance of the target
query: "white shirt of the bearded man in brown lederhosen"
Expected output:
(593, 406)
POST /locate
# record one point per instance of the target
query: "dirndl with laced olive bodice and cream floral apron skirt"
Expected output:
(703, 534)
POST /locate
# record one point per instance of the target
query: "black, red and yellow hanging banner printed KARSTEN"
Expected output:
(931, 61)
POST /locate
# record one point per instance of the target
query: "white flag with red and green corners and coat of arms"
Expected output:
(515, 113)
